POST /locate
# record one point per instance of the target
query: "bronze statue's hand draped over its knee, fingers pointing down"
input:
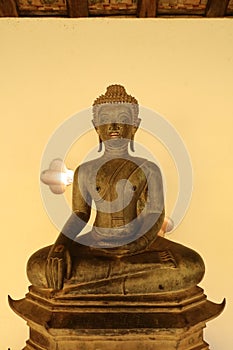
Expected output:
(58, 266)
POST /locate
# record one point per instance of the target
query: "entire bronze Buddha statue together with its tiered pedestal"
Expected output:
(121, 285)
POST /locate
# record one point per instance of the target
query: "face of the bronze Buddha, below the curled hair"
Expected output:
(115, 121)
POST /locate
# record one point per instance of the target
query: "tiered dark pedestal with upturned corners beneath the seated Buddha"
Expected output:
(163, 321)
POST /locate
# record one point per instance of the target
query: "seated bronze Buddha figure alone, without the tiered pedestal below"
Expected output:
(123, 253)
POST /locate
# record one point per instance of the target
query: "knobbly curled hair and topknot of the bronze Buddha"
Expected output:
(116, 94)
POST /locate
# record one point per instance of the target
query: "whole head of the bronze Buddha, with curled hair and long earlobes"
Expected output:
(115, 115)
